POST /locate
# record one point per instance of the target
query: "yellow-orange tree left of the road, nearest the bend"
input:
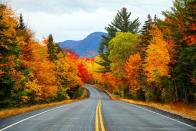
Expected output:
(67, 74)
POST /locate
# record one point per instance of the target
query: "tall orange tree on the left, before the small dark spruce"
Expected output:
(42, 81)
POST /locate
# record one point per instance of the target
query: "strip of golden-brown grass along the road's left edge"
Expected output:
(4, 113)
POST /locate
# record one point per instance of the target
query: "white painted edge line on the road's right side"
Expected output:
(160, 114)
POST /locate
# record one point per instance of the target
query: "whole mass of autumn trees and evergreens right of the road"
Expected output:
(158, 63)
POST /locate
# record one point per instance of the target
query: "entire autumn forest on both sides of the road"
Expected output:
(154, 62)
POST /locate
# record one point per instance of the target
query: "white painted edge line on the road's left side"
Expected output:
(2, 129)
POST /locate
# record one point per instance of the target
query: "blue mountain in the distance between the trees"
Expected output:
(88, 47)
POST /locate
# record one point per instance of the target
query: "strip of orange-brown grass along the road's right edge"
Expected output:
(182, 109)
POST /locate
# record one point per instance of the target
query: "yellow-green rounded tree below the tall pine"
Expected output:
(121, 47)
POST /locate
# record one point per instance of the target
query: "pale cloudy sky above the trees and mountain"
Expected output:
(75, 19)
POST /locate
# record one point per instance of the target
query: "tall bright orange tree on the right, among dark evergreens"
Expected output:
(157, 57)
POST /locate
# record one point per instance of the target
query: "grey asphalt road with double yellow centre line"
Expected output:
(97, 113)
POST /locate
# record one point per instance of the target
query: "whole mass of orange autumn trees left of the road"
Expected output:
(32, 71)
